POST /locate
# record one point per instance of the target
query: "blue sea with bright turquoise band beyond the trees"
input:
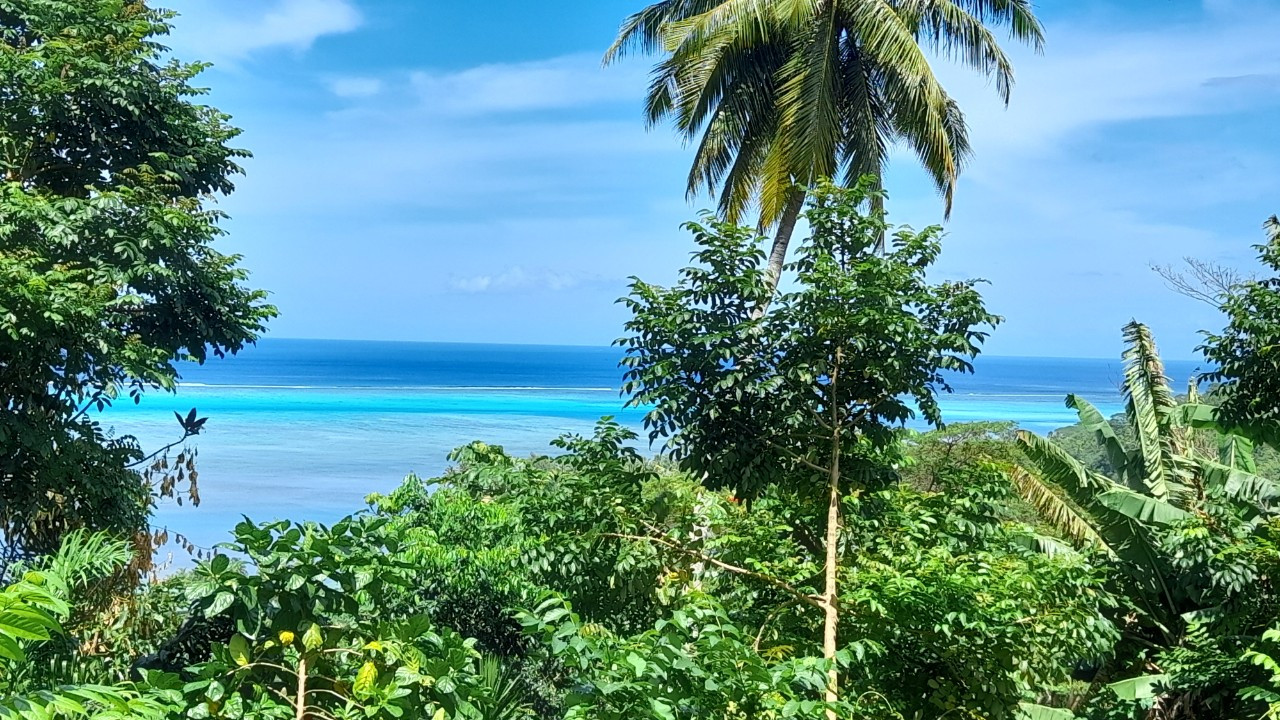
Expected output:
(305, 430)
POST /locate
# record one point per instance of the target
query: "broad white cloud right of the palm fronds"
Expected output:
(1090, 79)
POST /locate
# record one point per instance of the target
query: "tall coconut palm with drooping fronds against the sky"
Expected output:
(785, 93)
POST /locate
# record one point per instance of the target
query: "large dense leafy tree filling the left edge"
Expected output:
(108, 274)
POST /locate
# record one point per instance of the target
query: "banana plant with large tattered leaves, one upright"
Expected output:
(1159, 480)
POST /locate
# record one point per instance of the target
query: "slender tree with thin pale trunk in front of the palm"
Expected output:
(804, 397)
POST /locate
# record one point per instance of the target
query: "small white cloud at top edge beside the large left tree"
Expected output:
(234, 30)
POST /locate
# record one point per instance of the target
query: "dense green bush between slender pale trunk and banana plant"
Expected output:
(963, 608)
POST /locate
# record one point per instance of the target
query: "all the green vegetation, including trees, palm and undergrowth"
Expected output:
(789, 553)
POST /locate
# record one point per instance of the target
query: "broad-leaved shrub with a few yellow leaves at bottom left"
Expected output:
(300, 632)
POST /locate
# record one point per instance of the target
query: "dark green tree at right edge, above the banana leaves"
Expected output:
(1245, 353)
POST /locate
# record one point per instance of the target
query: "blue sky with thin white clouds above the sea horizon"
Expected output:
(469, 172)
